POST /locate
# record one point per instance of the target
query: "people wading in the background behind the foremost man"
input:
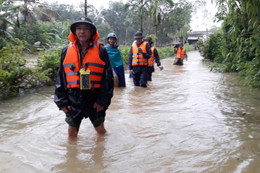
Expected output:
(142, 57)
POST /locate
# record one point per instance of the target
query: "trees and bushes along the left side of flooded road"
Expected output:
(31, 27)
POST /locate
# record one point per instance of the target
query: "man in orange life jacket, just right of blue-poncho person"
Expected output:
(139, 54)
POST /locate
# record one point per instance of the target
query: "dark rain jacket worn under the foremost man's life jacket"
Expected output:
(80, 99)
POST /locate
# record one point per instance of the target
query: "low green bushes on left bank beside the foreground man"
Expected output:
(14, 74)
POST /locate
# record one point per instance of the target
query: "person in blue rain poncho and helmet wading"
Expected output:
(115, 59)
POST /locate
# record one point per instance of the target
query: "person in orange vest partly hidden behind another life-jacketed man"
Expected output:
(155, 57)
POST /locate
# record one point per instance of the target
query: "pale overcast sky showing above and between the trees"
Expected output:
(200, 21)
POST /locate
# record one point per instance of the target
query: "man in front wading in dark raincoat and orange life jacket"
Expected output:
(84, 86)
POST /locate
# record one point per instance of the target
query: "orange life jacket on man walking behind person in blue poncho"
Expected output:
(138, 58)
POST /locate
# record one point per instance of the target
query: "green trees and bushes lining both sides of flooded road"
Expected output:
(31, 27)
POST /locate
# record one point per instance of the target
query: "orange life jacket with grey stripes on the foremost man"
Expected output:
(72, 65)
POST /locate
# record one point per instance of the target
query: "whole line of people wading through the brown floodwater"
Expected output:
(85, 80)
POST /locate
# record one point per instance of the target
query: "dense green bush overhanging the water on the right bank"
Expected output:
(234, 51)
